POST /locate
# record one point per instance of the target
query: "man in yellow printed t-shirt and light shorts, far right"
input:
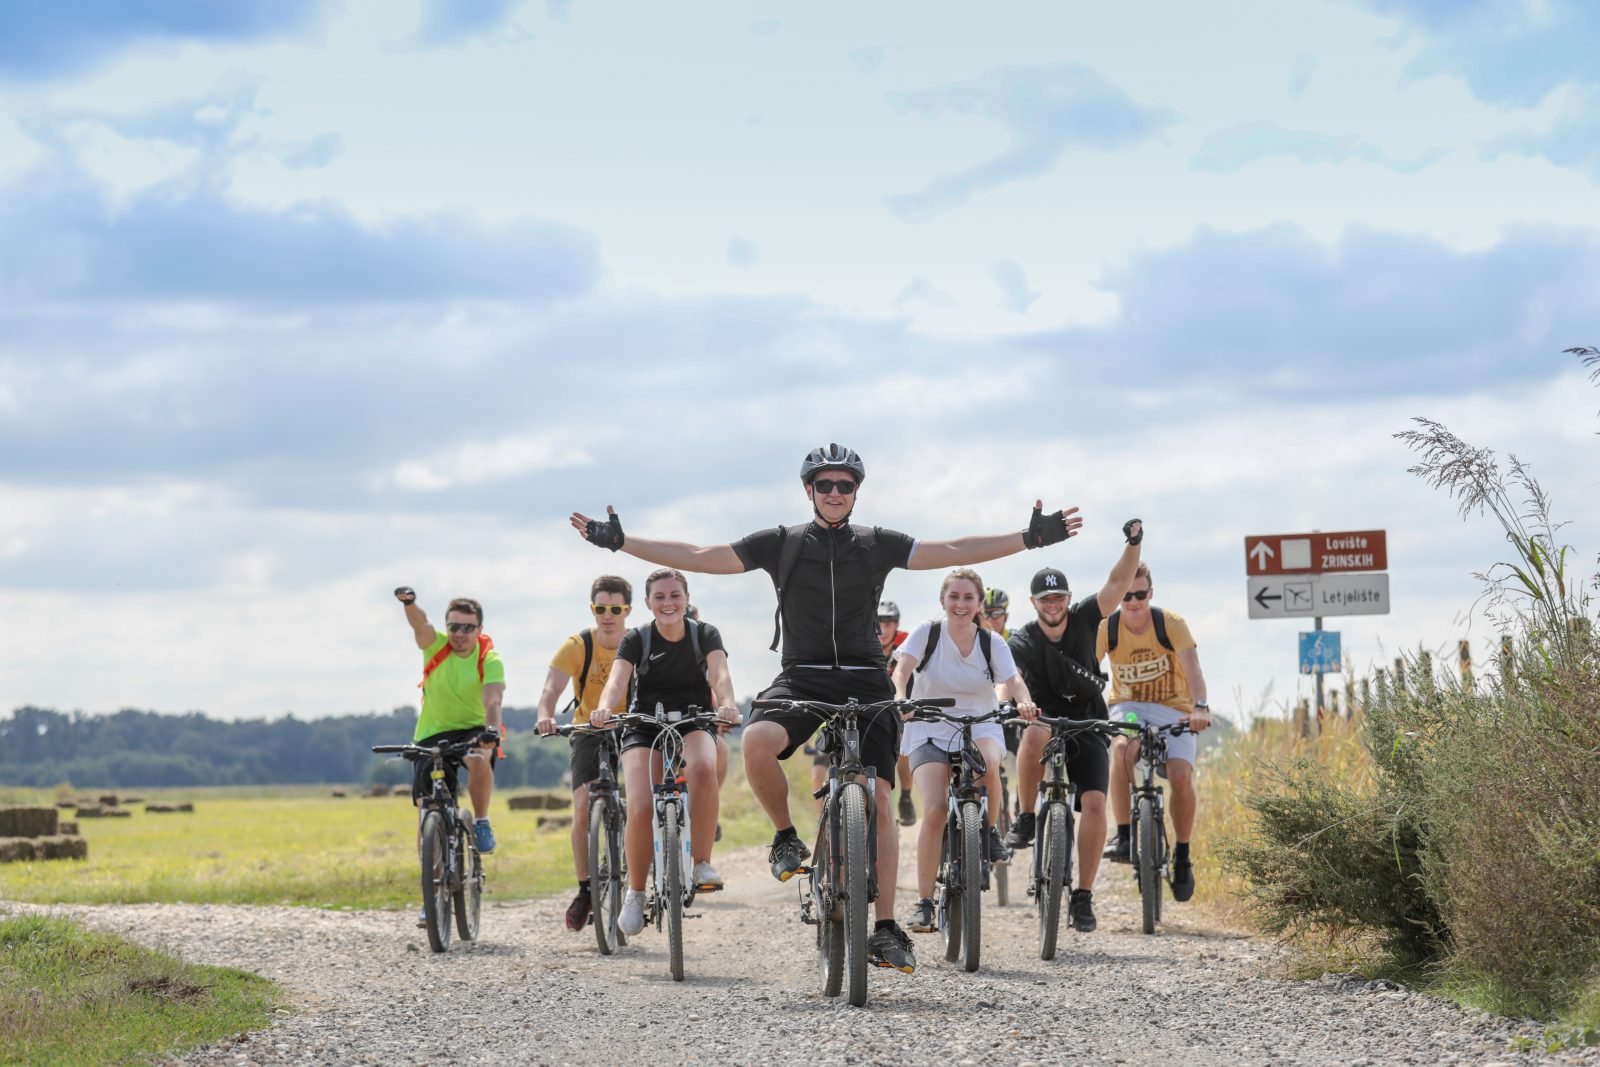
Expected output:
(1156, 682)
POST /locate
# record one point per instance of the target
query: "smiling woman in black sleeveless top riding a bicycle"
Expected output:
(679, 665)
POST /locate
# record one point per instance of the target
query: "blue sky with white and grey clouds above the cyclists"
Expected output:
(306, 300)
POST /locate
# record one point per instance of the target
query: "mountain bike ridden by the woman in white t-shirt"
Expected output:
(964, 858)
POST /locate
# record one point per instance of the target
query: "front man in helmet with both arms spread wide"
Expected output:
(826, 615)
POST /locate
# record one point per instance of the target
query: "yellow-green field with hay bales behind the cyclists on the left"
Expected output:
(300, 845)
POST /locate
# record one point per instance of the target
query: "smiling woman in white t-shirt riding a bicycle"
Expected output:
(958, 669)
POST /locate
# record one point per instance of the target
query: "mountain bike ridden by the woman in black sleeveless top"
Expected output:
(671, 885)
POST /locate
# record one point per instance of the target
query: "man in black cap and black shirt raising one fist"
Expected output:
(1057, 658)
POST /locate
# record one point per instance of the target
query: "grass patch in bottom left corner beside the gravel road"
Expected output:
(73, 996)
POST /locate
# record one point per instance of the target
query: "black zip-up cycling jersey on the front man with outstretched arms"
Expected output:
(831, 607)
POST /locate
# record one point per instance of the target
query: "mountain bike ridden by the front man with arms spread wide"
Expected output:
(842, 879)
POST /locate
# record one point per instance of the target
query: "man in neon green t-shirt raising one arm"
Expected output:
(463, 689)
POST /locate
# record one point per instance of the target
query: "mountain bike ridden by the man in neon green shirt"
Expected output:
(452, 868)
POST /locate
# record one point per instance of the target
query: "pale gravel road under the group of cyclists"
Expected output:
(367, 991)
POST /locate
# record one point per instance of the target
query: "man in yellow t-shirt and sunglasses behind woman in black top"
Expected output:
(610, 601)
